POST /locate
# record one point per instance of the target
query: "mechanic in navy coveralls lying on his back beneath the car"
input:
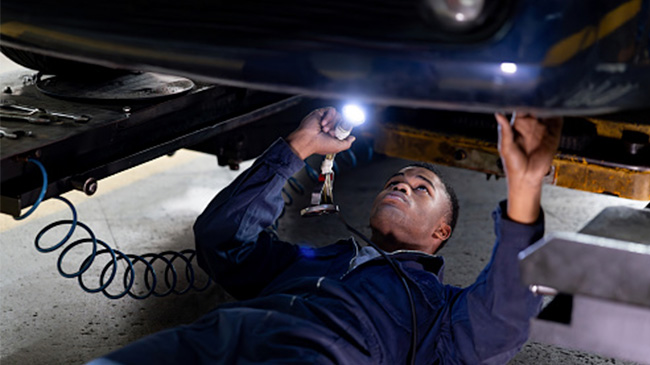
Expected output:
(344, 304)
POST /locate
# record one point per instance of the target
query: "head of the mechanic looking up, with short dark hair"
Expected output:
(416, 210)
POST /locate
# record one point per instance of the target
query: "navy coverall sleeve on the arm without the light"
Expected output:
(490, 318)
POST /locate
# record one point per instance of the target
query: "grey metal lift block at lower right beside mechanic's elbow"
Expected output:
(602, 275)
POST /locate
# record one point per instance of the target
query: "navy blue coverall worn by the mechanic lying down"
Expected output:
(299, 305)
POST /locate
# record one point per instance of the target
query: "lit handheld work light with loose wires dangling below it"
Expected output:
(322, 198)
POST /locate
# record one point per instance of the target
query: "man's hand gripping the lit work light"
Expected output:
(316, 134)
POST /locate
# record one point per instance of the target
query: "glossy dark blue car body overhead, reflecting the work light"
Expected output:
(550, 57)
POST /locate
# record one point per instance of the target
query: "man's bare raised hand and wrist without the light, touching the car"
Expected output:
(527, 148)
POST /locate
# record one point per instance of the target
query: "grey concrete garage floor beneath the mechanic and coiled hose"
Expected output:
(47, 319)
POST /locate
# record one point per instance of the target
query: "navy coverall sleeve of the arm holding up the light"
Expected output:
(231, 244)
